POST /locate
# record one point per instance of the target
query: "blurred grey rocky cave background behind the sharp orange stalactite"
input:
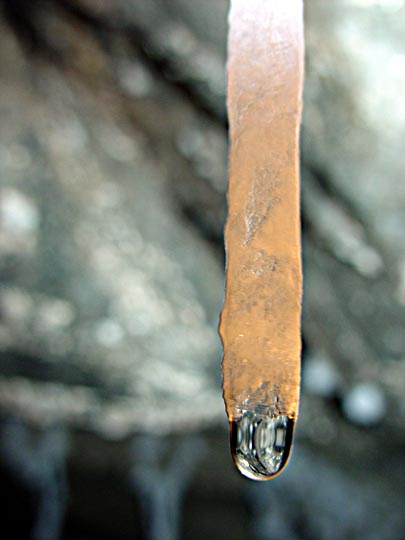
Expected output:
(113, 166)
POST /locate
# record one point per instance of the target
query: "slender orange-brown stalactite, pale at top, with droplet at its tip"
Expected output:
(260, 321)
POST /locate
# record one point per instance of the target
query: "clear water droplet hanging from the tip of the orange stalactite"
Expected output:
(261, 445)
